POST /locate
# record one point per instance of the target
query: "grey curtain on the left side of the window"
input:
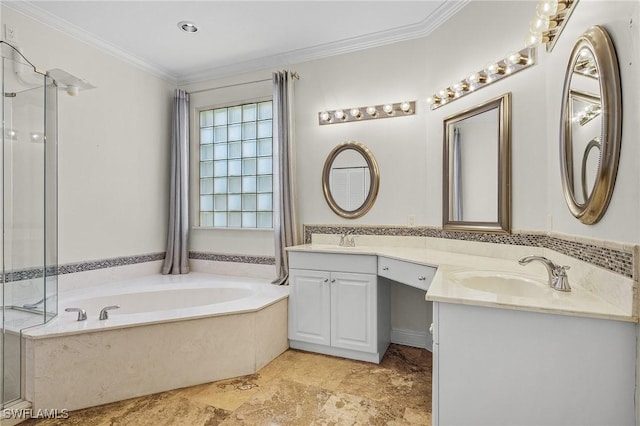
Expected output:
(176, 260)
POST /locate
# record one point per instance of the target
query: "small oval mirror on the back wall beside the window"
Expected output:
(350, 179)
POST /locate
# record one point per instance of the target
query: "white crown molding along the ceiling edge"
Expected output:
(407, 32)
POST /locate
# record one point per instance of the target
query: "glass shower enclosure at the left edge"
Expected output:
(28, 215)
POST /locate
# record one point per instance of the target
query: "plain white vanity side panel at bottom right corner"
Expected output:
(504, 367)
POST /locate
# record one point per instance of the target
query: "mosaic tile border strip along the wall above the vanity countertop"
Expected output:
(620, 261)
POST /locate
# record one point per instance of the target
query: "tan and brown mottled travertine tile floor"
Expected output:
(297, 388)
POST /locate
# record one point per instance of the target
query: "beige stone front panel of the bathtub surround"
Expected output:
(90, 369)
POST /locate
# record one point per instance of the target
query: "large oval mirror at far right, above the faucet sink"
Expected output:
(591, 124)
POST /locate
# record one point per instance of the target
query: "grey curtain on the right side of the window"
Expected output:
(284, 215)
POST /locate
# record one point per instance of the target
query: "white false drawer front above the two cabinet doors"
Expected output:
(358, 263)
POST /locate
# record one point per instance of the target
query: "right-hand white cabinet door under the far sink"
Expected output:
(353, 305)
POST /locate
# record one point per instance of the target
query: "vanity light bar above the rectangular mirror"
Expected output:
(514, 62)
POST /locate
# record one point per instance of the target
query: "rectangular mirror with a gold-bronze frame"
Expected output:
(476, 172)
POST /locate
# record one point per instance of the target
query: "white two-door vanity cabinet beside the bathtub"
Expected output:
(336, 305)
